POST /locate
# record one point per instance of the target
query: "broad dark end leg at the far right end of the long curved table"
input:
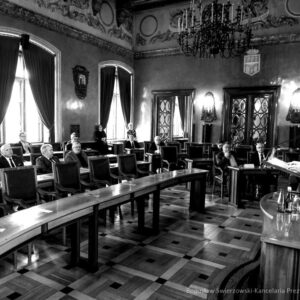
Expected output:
(197, 194)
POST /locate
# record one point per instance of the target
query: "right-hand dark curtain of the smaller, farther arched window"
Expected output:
(125, 93)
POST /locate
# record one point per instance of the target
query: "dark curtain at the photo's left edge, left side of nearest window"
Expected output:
(9, 50)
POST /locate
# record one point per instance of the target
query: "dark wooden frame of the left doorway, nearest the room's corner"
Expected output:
(172, 93)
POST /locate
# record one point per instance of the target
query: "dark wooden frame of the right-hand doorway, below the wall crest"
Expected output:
(239, 91)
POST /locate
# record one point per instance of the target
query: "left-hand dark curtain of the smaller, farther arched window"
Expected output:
(107, 90)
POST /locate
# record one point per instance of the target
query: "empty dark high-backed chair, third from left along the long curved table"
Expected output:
(101, 176)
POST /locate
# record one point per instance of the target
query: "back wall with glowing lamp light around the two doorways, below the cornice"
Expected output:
(280, 64)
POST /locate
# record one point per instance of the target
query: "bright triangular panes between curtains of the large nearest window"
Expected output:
(22, 113)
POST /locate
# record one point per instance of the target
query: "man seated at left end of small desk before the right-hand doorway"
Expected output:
(224, 159)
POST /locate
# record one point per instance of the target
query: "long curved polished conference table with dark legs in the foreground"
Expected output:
(27, 224)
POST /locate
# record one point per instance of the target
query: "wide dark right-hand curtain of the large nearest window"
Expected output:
(40, 66)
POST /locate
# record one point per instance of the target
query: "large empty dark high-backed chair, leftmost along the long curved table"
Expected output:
(19, 187)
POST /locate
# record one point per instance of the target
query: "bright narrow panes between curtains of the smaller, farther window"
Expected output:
(116, 127)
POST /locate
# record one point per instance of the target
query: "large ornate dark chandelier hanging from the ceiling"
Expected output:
(216, 28)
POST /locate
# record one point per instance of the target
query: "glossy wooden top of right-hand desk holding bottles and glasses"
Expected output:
(279, 228)
